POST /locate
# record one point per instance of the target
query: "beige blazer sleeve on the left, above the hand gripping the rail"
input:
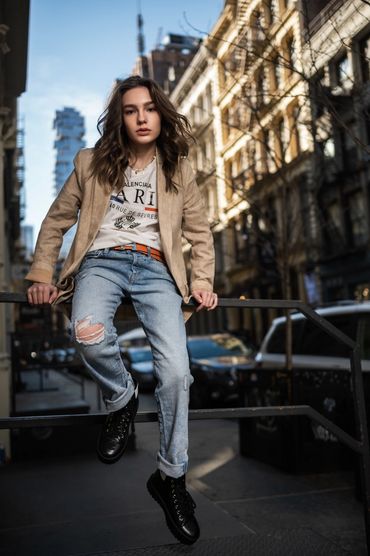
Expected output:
(62, 215)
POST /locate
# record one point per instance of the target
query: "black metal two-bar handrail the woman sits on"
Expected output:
(360, 444)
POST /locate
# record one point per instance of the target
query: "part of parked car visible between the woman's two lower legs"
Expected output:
(139, 362)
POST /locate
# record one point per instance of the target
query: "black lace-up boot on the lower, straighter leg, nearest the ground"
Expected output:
(177, 504)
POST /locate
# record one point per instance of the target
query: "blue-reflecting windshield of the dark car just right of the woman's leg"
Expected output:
(216, 346)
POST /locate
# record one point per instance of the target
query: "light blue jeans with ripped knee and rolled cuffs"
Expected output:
(104, 278)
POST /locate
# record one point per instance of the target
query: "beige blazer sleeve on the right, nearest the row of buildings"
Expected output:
(196, 230)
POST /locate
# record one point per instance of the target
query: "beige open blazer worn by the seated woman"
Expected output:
(85, 200)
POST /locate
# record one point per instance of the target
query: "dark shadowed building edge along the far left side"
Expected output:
(14, 23)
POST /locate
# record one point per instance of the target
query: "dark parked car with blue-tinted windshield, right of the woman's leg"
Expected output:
(215, 362)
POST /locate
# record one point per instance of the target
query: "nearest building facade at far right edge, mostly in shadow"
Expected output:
(337, 36)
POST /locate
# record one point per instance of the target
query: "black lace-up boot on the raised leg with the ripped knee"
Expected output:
(115, 432)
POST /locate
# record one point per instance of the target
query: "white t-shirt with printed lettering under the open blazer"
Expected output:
(132, 214)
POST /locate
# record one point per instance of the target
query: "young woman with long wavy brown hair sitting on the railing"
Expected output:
(135, 197)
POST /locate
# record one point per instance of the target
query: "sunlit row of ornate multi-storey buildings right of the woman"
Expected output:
(290, 123)
